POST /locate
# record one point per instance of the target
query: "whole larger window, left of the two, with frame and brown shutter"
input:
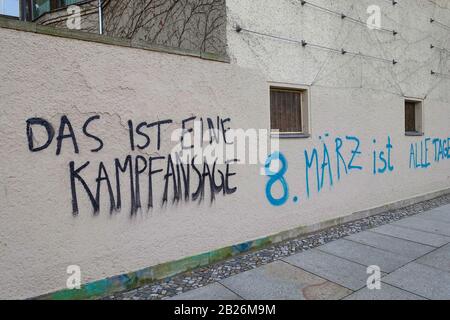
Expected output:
(289, 112)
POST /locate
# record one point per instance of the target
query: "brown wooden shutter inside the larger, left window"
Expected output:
(285, 110)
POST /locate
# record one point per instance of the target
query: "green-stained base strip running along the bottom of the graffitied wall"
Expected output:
(132, 280)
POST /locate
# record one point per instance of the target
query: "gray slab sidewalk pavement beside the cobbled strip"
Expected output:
(413, 255)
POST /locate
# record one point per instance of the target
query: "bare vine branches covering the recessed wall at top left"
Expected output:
(198, 25)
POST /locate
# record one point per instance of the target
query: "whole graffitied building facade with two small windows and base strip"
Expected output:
(355, 94)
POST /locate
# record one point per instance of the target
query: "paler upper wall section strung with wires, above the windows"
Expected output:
(289, 62)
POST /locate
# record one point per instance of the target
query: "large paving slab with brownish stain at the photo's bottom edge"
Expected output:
(280, 280)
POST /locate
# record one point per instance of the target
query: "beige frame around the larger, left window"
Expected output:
(304, 110)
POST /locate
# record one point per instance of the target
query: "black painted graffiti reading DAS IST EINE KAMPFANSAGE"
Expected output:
(183, 179)
